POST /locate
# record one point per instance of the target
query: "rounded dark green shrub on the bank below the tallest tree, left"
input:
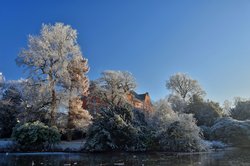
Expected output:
(35, 135)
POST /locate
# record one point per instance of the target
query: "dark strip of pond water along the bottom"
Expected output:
(233, 157)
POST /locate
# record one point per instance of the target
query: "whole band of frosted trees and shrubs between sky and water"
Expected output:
(58, 102)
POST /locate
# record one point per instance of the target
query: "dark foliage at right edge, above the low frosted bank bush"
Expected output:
(241, 111)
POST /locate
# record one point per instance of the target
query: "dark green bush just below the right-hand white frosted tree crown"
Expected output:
(205, 112)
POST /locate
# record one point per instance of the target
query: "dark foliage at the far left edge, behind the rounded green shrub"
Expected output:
(10, 107)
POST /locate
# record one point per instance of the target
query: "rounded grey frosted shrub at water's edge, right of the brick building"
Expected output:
(183, 135)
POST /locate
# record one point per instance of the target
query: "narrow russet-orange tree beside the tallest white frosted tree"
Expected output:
(78, 87)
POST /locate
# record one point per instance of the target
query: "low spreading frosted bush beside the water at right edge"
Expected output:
(231, 131)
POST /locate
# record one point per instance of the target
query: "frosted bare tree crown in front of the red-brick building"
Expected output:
(111, 89)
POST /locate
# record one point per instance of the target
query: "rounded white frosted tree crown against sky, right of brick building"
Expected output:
(183, 85)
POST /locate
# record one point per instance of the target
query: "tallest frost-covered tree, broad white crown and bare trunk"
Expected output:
(47, 59)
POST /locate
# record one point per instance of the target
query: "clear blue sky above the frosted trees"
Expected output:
(209, 40)
